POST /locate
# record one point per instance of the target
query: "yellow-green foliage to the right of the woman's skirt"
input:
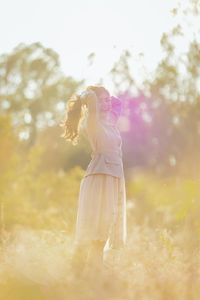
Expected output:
(176, 199)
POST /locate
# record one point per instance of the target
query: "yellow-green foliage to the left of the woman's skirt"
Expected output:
(31, 197)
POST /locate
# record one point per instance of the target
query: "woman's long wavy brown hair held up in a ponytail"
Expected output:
(75, 115)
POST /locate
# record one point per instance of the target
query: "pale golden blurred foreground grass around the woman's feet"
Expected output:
(156, 264)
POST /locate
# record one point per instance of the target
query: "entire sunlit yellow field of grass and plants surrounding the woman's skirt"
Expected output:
(37, 223)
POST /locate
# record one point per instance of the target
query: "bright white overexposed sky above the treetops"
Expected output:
(76, 28)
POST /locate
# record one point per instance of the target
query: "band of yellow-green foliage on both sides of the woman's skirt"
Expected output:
(47, 198)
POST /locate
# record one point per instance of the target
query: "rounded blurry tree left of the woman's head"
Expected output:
(33, 88)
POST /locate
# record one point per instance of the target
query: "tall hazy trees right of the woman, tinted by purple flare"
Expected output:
(164, 114)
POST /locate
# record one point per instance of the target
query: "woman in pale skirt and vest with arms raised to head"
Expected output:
(101, 212)
